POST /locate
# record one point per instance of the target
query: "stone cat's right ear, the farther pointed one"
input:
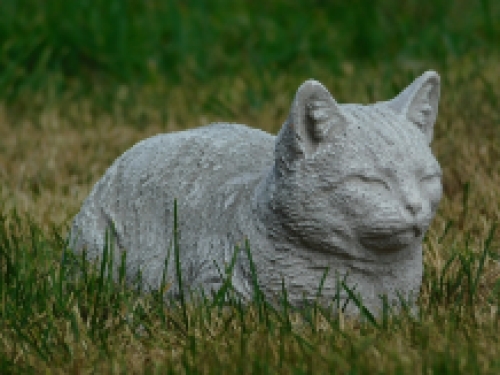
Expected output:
(419, 102)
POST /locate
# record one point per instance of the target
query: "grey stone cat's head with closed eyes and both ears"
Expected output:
(353, 177)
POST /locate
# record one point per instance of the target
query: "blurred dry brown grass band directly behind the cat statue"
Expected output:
(51, 158)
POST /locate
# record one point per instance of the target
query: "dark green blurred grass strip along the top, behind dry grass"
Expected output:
(108, 42)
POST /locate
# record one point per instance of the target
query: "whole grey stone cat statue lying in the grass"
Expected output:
(344, 191)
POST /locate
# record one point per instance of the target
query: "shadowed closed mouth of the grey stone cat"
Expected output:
(391, 240)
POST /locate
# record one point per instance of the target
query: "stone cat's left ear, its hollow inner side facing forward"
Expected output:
(313, 116)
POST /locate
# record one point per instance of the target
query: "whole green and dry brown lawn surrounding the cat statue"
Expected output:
(80, 82)
